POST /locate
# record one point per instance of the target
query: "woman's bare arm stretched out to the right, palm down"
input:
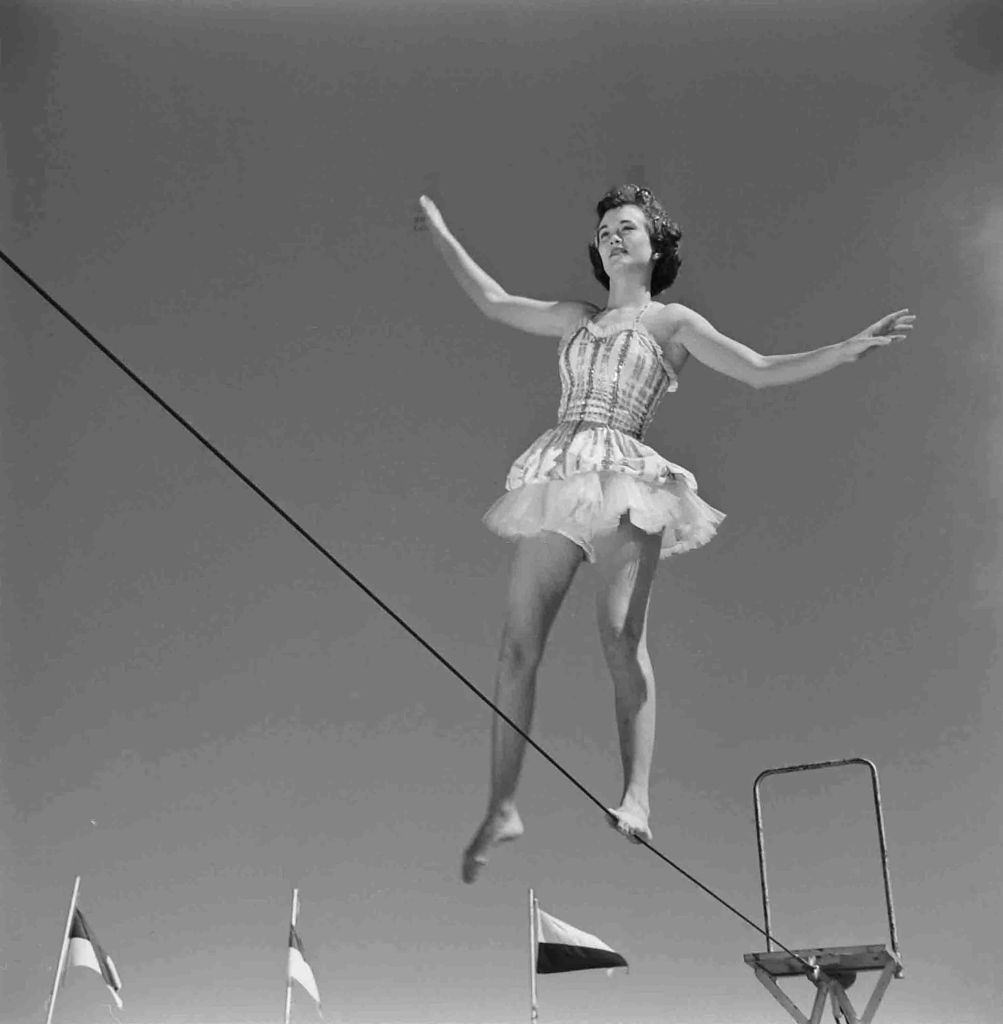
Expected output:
(735, 360)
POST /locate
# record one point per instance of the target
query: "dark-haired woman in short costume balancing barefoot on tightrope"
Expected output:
(592, 490)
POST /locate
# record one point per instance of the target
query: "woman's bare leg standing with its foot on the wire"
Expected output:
(626, 563)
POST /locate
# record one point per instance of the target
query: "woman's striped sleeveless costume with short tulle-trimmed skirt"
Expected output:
(594, 470)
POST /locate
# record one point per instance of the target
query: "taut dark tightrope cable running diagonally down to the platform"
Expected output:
(373, 596)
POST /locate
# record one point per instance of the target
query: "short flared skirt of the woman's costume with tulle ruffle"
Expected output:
(581, 482)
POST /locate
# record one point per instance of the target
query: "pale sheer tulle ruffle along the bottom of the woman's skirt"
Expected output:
(589, 505)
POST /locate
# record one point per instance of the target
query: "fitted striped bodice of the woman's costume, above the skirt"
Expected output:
(614, 379)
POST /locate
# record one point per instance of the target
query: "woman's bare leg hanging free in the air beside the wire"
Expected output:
(542, 571)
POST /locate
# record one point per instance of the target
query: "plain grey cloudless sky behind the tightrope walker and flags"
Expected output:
(200, 713)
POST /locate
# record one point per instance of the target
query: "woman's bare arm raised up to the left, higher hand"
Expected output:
(532, 316)
